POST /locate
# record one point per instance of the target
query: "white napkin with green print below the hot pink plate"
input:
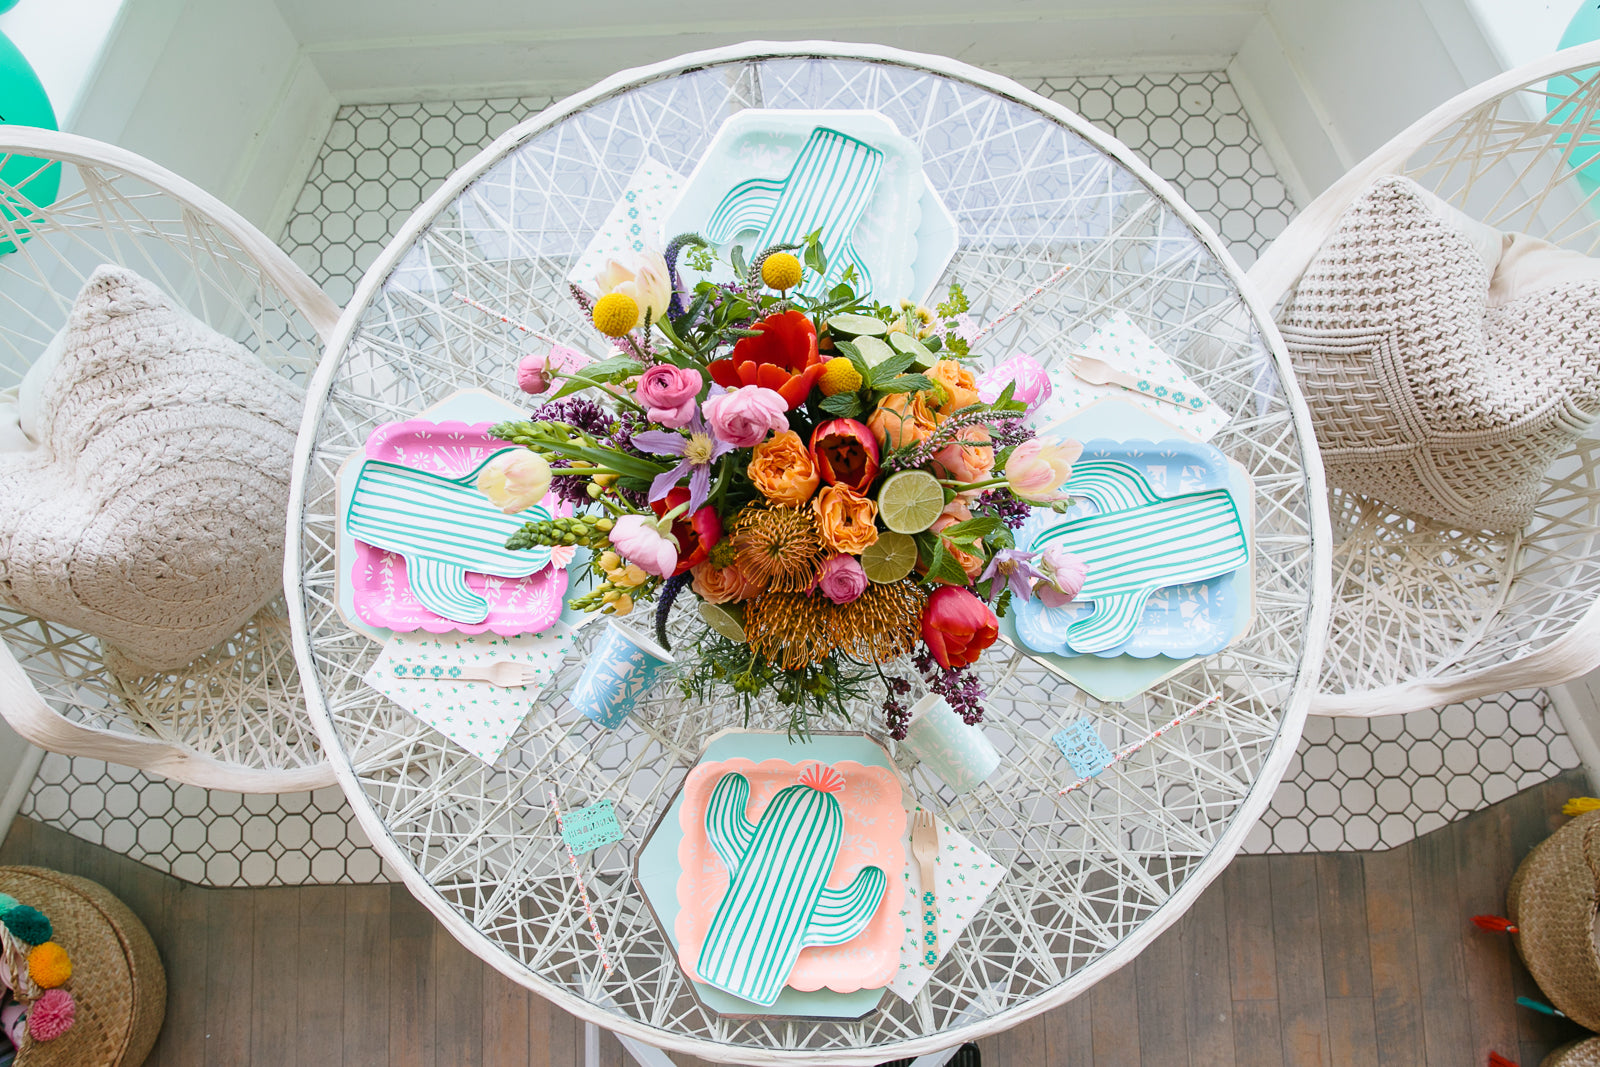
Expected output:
(476, 716)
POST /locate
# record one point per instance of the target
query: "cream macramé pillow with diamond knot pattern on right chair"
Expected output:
(1426, 394)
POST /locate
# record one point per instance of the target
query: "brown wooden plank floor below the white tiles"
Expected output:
(1287, 961)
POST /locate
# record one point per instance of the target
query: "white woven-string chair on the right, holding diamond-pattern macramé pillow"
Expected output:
(1426, 615)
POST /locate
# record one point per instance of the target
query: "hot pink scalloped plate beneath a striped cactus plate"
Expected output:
(382, 593)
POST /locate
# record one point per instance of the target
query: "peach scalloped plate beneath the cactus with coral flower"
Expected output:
(874, 836)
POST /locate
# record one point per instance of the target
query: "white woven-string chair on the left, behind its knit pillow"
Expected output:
(236, 717)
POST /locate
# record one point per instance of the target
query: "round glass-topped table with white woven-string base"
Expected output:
(1089, 877)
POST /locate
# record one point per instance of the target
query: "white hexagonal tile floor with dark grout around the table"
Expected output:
(1356, 785)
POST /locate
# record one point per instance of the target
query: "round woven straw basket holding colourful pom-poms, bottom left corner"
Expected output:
(118, 978)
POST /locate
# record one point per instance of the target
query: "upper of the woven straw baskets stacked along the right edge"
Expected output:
(1553, 901)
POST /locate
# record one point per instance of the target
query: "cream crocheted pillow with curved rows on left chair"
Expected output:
(151, 513)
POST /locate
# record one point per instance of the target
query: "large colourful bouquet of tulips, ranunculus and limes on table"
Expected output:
(828, 476)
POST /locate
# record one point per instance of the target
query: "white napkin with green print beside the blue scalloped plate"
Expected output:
(1122, 345)
